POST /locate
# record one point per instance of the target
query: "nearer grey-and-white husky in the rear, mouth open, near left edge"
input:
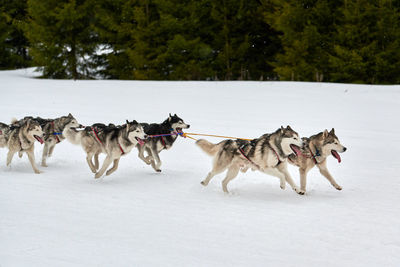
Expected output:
(21, 139)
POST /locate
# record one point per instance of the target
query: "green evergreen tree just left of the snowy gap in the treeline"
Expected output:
(62, 37)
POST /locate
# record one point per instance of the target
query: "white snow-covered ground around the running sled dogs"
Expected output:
(136, 217)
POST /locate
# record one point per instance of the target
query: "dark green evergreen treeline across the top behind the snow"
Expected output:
(355, 41)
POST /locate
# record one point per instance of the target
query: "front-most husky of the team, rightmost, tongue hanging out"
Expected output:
(315, 151)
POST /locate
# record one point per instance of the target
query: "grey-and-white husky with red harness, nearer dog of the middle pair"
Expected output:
(115, 141)
